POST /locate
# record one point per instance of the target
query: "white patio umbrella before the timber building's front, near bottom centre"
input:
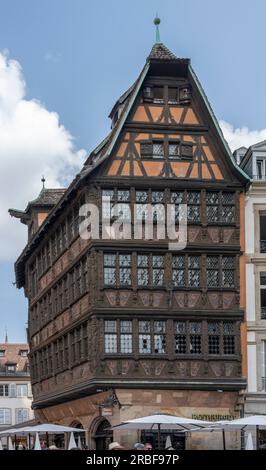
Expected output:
(161, 421)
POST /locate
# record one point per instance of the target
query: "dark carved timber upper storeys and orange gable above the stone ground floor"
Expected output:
(69, 305)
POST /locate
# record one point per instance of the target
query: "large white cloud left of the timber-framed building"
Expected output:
(32, 143)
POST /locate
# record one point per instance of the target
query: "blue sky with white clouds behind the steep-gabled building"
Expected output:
(64, 63)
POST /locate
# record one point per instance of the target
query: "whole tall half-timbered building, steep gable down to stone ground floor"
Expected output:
(121, 328)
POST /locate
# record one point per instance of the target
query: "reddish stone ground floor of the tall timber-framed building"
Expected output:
(97, 413)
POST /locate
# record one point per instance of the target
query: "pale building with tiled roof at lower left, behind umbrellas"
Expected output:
(15, 386)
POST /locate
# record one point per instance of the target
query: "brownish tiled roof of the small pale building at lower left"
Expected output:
(12, 356)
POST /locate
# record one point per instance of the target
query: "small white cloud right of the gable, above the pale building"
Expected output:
(242, 136)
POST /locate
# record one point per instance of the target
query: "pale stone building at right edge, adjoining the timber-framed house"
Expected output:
(253, 161)
